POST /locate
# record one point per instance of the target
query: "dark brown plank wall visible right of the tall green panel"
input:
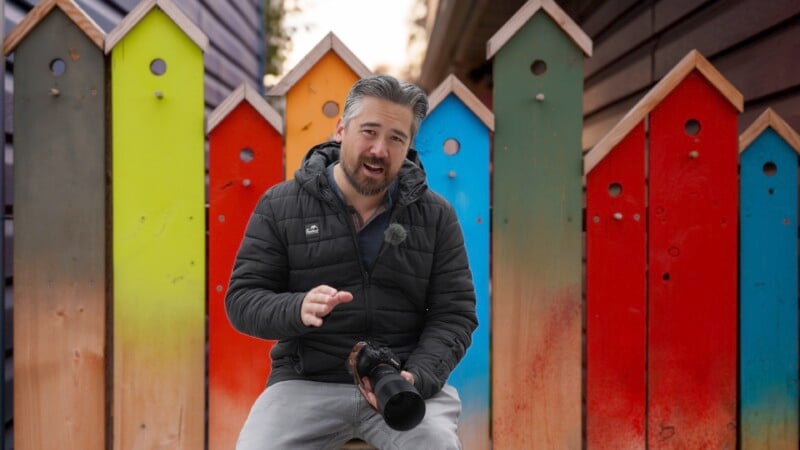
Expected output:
(753, 43)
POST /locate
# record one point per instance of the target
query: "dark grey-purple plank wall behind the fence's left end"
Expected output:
(235, 54)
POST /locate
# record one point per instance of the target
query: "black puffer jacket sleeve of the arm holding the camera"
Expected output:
(450, 317)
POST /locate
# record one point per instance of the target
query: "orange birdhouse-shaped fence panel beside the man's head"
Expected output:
(314, 105)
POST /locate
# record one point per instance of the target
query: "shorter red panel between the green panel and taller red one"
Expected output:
(615, 297)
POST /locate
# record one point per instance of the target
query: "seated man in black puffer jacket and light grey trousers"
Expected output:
(355, 248)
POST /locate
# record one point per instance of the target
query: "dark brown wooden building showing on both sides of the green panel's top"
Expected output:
(754, 43)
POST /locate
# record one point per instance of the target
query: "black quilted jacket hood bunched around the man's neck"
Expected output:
(311, 175)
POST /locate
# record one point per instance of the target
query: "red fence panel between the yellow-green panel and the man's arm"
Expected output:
(238, 365)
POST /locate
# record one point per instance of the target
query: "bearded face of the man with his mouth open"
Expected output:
(374, 144)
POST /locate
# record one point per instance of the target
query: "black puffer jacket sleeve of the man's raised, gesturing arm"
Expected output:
(257, 303)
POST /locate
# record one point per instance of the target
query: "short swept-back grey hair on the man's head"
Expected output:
(387, 87)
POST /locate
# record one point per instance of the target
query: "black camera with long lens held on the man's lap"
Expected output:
(399, 401)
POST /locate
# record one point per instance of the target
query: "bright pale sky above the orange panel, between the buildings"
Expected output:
(376, 31)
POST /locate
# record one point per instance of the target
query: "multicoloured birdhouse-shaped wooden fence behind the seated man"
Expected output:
(690, 236)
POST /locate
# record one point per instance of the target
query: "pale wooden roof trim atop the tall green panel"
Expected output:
(521, 17)
